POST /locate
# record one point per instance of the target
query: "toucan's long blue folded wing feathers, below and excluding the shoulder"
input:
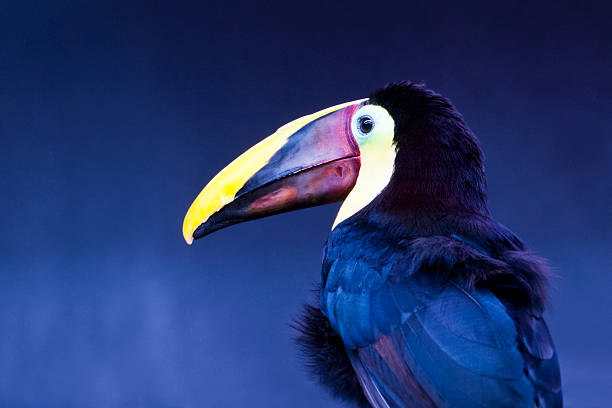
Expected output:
(458, 351)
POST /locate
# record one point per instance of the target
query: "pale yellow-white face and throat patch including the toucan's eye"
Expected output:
(373, 129)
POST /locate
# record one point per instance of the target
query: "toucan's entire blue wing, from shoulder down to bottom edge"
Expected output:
(415, 343)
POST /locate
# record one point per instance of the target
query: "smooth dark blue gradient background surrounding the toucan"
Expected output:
(114, 114)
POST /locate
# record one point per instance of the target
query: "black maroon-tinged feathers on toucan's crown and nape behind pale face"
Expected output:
(439, 164)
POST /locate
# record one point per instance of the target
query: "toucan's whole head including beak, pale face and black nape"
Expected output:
(404, 149)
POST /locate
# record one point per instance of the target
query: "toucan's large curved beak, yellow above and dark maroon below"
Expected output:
(311, 161)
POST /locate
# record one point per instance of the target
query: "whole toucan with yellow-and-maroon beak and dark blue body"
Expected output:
(425, 300)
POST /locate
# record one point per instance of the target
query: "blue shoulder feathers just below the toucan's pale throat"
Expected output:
(366, 277)
